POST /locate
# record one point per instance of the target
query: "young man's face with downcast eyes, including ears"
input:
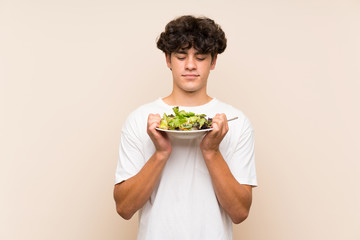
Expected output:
(190, 69)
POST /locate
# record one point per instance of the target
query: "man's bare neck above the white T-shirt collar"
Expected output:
(187, 99)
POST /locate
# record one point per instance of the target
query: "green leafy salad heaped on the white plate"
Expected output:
(184, 121)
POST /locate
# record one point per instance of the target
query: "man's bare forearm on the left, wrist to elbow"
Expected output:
(133, 193)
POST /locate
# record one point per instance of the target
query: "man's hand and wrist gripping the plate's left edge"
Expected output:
(160, 139)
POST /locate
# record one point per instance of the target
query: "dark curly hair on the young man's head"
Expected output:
(188, 31)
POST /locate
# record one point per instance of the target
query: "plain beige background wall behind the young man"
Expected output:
(71, 71)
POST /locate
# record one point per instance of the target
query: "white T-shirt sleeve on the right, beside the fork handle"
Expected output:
(243, 160)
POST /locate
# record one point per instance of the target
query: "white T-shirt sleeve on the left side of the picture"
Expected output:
(131, 156)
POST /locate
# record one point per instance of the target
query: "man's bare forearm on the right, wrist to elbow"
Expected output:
(234, 197)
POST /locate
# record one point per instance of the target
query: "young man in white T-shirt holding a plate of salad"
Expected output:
(194, 188)
